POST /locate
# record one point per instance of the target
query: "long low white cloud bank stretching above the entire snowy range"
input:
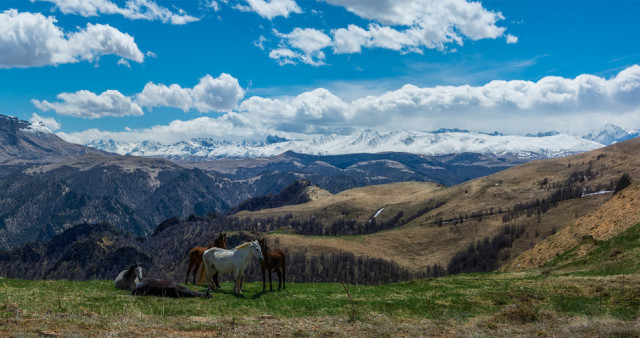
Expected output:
(553, 103)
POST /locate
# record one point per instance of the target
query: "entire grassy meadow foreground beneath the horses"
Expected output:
(492, 303)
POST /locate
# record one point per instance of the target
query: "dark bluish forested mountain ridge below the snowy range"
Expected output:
(48, 190)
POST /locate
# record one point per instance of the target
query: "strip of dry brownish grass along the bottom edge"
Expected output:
(550, 324)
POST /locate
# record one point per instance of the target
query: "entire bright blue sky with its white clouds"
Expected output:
(244, 69)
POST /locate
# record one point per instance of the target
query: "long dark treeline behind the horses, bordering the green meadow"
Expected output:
(166, 256)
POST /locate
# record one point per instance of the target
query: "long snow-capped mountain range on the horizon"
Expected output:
(439, 142)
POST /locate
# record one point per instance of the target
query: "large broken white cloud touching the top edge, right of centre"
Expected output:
(405, 26)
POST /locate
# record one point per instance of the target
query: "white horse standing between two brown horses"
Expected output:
(234, 260)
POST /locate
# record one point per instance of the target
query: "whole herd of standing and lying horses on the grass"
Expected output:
(211, 261)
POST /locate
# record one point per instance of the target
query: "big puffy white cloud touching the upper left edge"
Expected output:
(31, 39)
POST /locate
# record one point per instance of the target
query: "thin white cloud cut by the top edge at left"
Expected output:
(133, 9)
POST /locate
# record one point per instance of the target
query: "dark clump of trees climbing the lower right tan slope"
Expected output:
(486, 254)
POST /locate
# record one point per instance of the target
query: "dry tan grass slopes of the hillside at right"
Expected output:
(421, 243)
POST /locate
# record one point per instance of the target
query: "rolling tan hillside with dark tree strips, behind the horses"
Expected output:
(416, 229)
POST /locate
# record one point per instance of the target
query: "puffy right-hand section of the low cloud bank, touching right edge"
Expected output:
(585, 102)
